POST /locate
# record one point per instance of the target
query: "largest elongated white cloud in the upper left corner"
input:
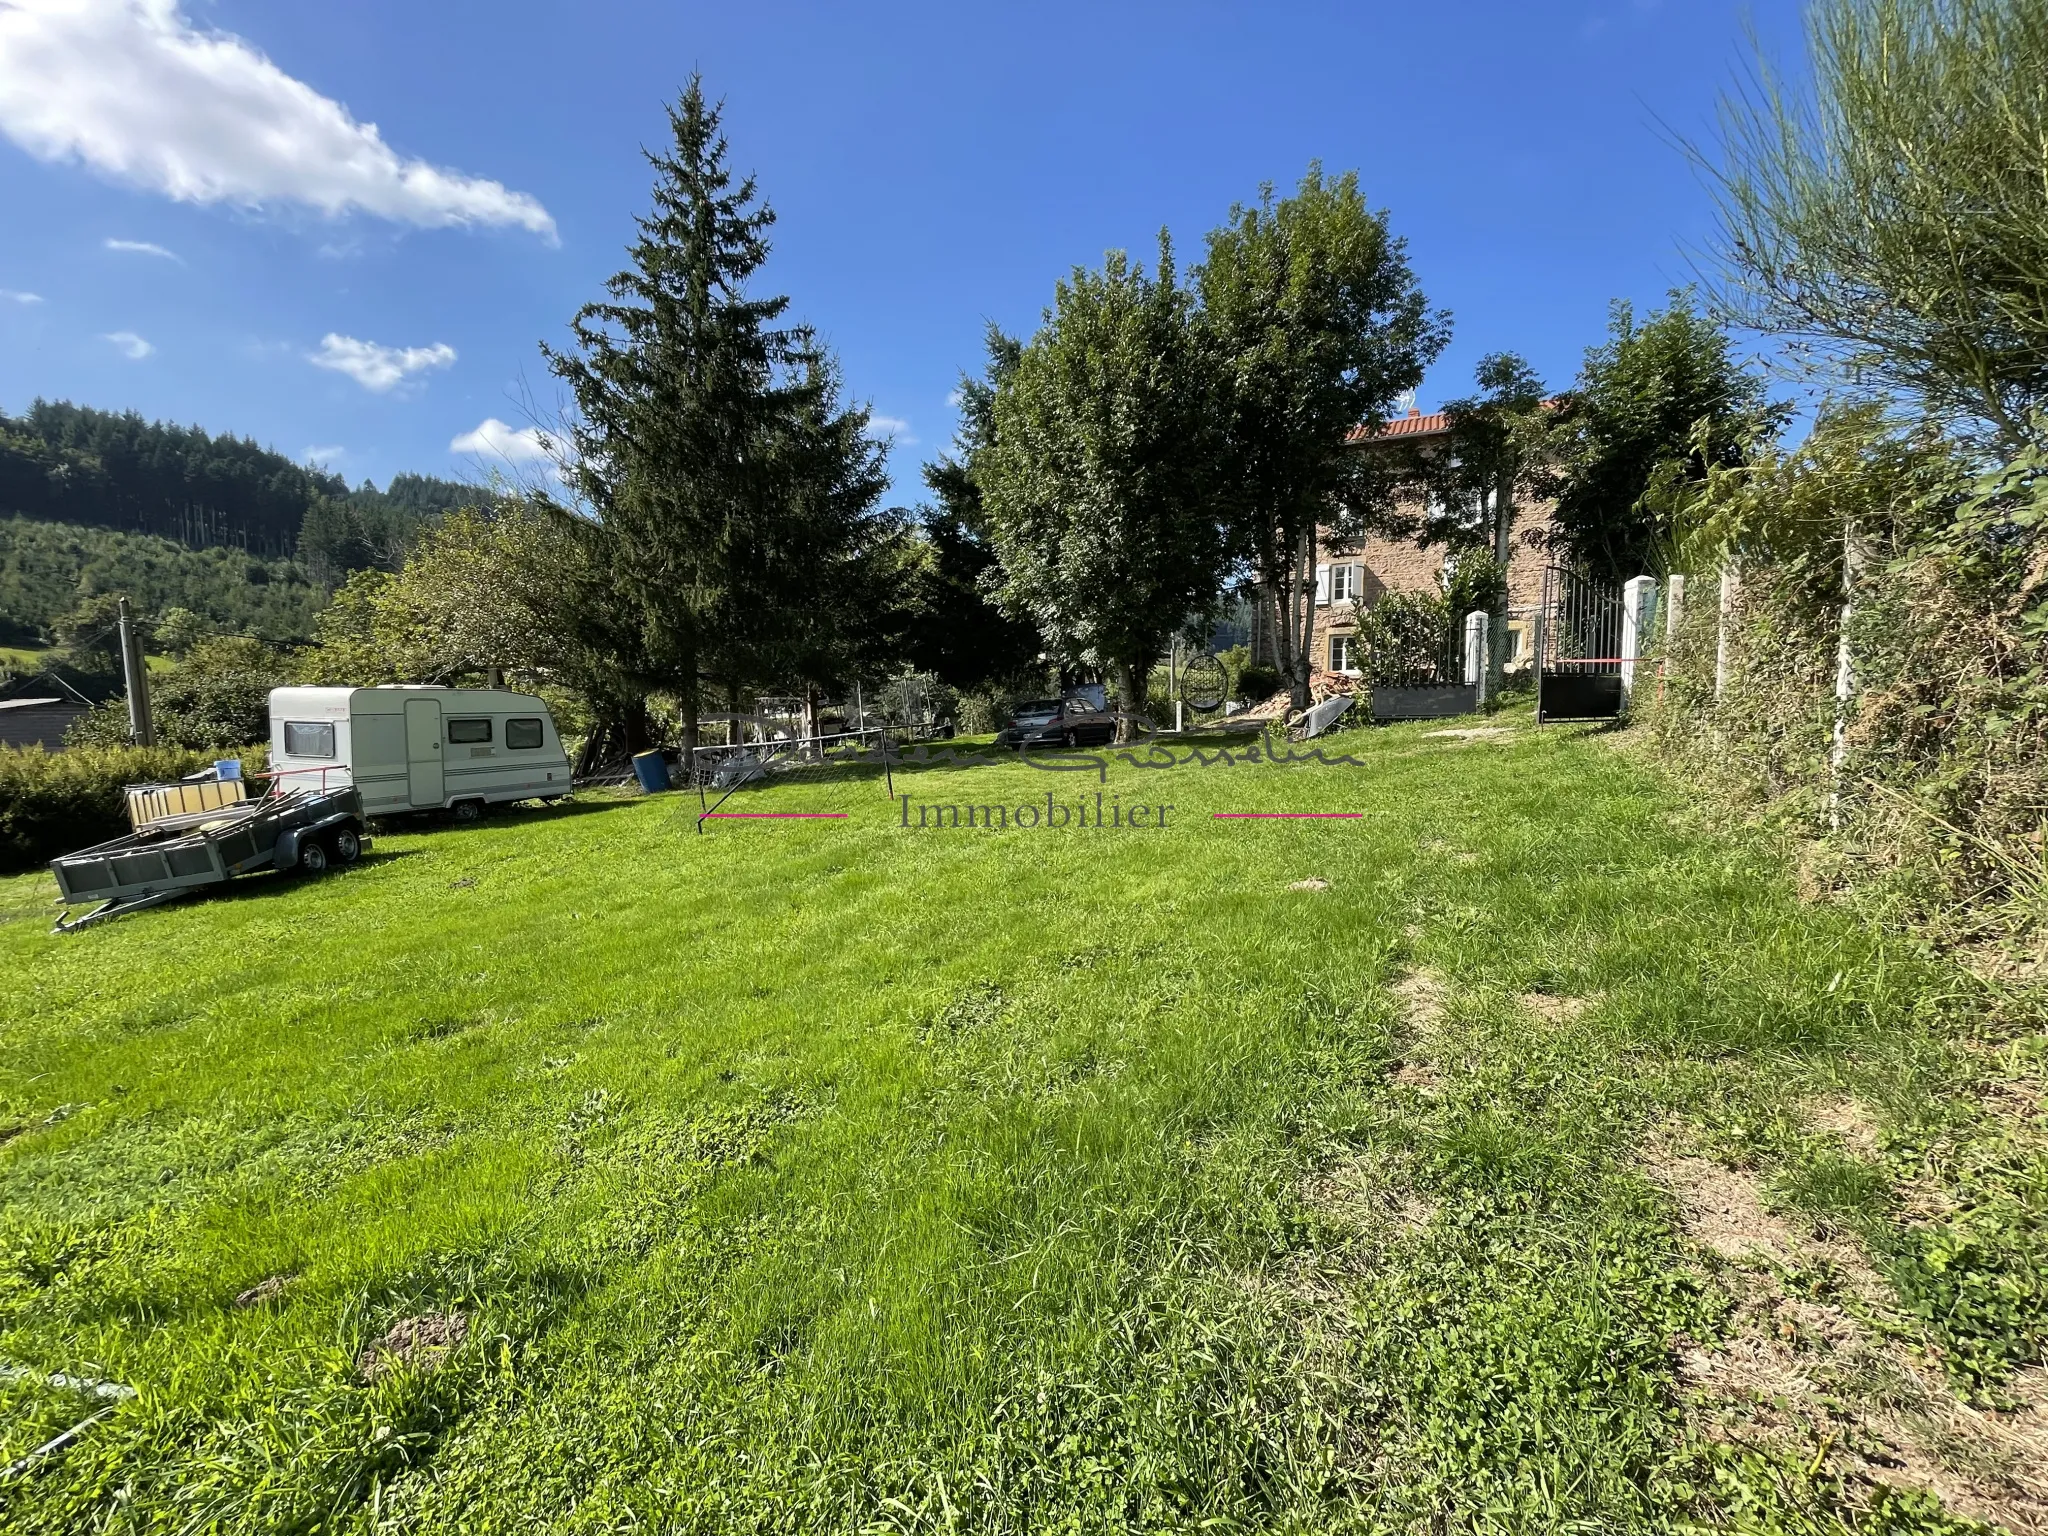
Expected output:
(142, 95)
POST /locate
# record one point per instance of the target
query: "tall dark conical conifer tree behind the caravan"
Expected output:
(732, 497)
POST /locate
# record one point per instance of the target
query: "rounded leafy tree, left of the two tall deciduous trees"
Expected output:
(1101, 474)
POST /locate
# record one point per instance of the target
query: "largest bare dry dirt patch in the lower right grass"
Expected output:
(1828, 1371)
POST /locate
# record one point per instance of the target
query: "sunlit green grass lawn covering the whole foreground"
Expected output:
(1521, 1154)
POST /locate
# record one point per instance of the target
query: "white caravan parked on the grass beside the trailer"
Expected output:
(419, 749)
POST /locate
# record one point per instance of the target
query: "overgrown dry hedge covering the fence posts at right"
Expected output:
(1947, 746)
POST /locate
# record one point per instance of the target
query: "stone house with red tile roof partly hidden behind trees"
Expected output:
(1353, 577)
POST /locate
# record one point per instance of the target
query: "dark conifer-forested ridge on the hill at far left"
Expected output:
(105, 470)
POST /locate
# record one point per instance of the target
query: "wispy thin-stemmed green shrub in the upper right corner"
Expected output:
(1891, 212)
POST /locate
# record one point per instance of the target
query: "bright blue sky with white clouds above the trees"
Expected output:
(200, 224)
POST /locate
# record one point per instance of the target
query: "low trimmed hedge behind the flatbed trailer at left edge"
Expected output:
(60, 802)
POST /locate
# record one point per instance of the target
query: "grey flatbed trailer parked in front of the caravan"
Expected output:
(288, 828)
